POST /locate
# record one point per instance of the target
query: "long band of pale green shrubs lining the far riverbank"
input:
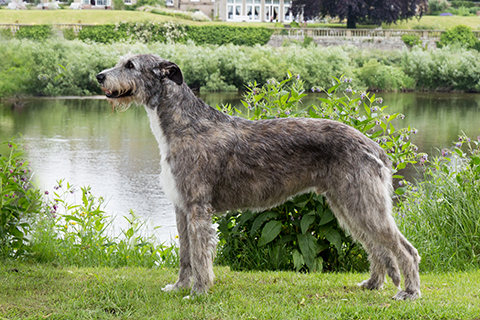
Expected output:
(60, 68)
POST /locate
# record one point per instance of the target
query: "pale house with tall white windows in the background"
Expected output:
(240, 10)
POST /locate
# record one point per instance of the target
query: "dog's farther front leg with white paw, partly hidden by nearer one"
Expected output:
(185, 273)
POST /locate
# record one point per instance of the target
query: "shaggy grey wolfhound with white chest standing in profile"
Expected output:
(212, 162)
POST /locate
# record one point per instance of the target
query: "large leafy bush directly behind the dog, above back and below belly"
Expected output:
(302, 234)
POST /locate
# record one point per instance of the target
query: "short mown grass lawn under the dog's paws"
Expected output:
(37, 291)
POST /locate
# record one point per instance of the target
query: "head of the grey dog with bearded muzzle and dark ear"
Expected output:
(137, 77)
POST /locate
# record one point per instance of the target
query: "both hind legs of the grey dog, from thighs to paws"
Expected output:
(371, 223)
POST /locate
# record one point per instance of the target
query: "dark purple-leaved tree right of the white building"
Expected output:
(369, 11)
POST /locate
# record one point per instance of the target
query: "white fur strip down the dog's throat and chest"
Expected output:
(167, 179)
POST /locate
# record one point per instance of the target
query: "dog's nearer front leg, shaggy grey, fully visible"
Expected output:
(202, 247)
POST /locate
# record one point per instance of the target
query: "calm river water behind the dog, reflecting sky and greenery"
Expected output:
(117, 155)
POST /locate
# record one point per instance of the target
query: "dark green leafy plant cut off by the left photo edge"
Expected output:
(18, 201)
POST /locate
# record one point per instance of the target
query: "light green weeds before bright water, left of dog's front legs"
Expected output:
(77, 234)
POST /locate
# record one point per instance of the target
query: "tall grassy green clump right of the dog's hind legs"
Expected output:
(440, 214)
